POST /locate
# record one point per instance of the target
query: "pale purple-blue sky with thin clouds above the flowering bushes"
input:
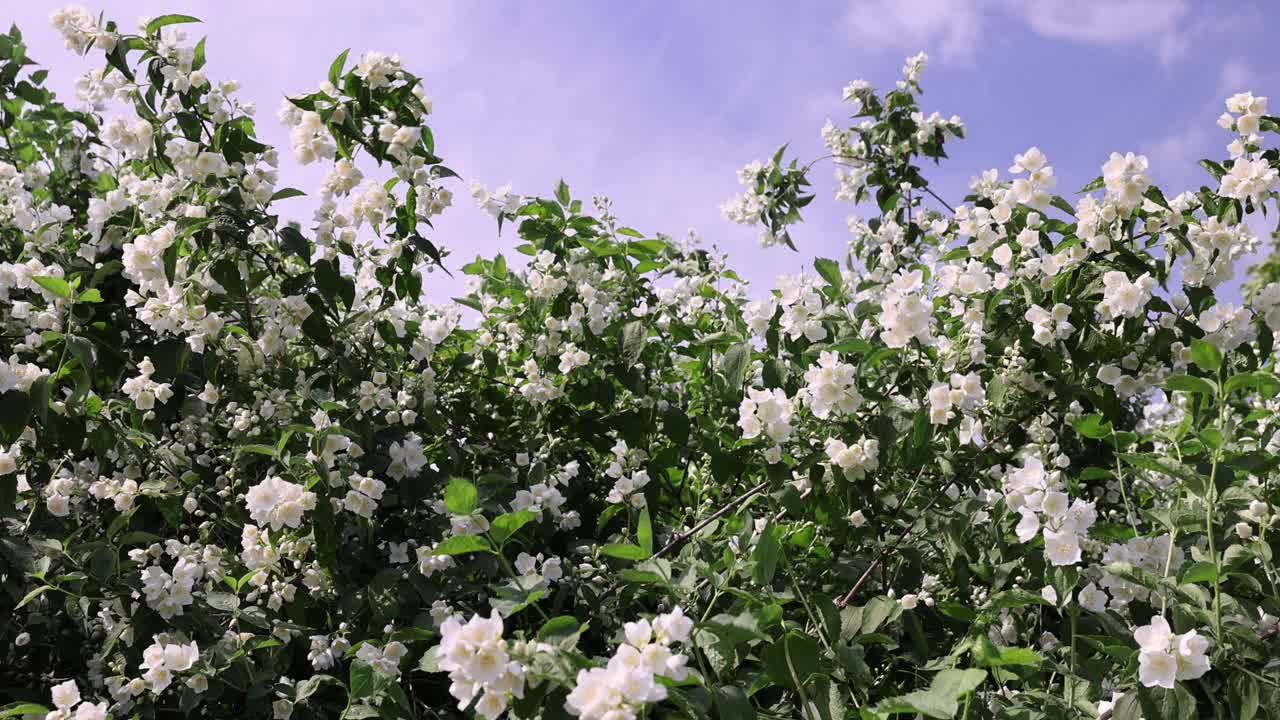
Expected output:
(657, 104)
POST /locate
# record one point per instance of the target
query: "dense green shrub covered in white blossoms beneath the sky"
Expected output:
(1009, 458)
